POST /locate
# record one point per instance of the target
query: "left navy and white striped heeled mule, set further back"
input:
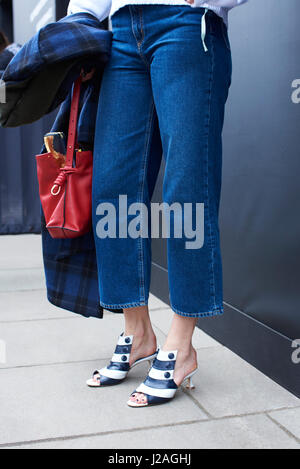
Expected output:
(119, 367)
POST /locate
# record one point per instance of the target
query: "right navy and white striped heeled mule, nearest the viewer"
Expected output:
(159, 386)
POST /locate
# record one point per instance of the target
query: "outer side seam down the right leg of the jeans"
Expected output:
(213, 287)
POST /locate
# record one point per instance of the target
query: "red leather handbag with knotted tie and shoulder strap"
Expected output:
(66, 188)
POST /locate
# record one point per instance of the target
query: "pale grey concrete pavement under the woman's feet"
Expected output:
(50, 353)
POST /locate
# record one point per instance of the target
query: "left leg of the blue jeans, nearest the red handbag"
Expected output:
(126, 155)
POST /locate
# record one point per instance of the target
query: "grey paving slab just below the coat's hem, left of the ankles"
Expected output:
(61, 340)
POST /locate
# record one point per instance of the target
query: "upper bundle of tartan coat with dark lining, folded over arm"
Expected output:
(39, 77)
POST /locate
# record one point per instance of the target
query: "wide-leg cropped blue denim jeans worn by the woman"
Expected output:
(168, 72)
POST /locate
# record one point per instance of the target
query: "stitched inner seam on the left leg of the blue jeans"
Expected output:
(140, 199)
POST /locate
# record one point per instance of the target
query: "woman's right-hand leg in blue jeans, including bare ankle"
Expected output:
(190, 88)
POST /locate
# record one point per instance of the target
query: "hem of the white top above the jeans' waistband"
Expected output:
(103, 8)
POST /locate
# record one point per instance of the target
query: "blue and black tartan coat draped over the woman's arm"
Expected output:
(70, 264)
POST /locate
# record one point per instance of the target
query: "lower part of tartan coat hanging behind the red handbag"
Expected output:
(70, 264)
